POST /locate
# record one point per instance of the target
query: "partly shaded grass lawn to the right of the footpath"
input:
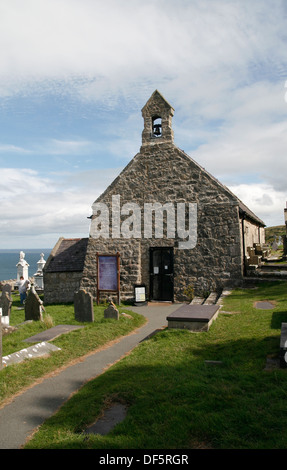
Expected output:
(176, 400)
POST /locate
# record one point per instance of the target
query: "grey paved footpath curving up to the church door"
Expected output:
(30, 409)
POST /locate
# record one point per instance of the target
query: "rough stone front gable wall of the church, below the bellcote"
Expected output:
(163, 173)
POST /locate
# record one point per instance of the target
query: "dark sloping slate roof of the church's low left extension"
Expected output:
(67, 256)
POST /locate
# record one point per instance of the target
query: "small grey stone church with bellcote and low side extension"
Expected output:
(171, 224)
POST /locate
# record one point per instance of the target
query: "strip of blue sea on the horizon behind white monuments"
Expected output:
(10, 258)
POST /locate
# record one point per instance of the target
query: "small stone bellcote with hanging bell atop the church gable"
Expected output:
(157, 114)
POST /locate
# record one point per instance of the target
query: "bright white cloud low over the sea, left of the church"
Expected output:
(33, 206)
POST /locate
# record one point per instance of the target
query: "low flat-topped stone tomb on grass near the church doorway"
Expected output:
(193, 317)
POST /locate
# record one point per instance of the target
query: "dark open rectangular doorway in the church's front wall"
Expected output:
(161, 273)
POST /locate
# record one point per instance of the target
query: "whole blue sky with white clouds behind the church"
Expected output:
(75, 74)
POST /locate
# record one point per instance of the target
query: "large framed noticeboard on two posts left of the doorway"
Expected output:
(108, 274)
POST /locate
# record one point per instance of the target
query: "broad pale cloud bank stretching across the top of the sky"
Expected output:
(103, 48)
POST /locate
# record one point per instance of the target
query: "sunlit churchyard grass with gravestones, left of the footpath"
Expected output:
(73, 345)
